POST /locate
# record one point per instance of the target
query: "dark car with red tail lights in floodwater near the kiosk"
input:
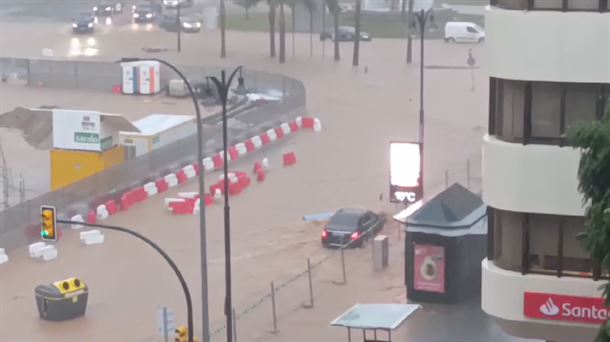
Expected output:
(351, 227)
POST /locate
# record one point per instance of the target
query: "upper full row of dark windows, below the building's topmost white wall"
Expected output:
(542, 112)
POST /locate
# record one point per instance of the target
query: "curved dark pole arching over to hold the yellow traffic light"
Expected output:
(185, 289)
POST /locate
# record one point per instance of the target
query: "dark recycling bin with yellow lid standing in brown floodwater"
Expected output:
(62, 300)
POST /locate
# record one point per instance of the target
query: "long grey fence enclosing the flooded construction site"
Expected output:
(19, 224)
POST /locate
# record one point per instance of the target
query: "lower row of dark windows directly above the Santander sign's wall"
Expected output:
(550, 246)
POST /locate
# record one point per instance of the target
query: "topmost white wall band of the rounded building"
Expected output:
(548, 45)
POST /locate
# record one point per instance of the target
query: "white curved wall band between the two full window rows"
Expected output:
(531, 178)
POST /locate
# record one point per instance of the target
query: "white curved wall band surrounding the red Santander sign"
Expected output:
(502, 297)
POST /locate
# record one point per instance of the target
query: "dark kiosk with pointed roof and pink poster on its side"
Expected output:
(445, 242)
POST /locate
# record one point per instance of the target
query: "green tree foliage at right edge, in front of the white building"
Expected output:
(593, 138)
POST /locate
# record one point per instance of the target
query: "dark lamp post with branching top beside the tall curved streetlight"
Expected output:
(222, 86)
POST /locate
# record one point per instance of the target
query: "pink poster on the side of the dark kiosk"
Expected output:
(429, 268)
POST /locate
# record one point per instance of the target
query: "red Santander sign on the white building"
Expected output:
(556, 307)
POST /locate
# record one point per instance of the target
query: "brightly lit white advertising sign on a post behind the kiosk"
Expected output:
(406, 181)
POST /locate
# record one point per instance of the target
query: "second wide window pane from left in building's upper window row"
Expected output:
(546, 109)
